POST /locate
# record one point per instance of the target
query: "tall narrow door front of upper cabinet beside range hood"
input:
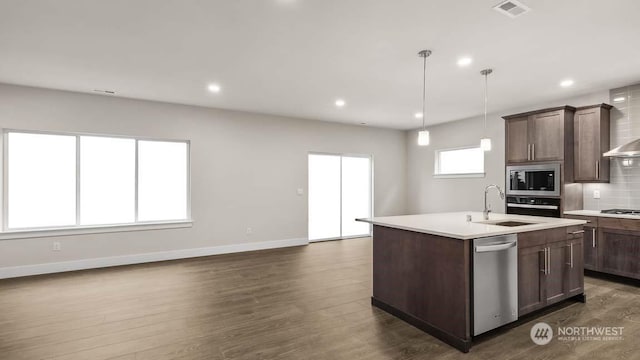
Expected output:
(588, 155)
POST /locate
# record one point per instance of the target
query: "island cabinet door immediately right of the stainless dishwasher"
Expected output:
(530, 279)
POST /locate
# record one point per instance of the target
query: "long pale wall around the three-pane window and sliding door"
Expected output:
(245, 169)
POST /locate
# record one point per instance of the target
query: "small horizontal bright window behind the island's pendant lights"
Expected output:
(464, 162)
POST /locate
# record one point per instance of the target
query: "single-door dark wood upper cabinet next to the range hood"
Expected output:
(591, 139)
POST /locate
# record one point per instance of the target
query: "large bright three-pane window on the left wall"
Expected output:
(66, 180)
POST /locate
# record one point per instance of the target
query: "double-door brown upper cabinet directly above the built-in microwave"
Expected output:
(542, 135)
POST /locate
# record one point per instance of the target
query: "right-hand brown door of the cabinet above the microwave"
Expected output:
(547, 136)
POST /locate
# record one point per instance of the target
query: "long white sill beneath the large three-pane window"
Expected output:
(97, 229)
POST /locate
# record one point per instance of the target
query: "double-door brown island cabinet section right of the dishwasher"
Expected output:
(550, 267)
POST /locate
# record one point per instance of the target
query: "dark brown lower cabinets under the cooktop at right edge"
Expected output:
(612, 245)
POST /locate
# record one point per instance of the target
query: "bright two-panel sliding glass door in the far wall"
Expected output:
(340, 190)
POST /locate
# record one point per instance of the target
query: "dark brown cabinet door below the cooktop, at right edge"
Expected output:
(619, 252)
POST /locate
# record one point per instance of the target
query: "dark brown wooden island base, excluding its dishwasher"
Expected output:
(427, 280)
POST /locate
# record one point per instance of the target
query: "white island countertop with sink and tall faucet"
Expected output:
(455, 224)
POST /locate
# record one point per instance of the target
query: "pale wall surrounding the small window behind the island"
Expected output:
(428, 194)
